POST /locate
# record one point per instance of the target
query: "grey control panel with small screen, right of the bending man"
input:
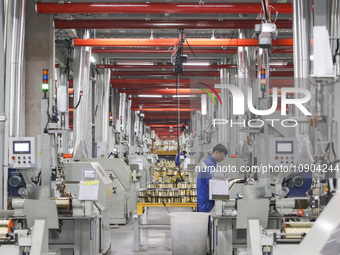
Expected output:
(282, 151)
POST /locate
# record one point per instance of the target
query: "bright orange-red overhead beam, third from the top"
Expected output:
(194, 42)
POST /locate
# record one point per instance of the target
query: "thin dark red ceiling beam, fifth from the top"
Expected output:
(164, 66)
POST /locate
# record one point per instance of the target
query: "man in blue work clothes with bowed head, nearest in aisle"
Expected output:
(204, 175)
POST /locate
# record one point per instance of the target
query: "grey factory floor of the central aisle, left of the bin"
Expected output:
(153, 241)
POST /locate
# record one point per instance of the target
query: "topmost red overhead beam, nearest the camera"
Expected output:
(187, 8)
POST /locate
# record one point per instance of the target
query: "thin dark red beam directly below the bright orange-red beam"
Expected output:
(186, 51)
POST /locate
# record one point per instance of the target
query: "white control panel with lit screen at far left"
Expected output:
(21, 152)
